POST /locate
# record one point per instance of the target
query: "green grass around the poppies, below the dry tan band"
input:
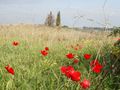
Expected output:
(34, 72)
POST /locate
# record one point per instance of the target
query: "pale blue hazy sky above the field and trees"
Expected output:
(74, 13)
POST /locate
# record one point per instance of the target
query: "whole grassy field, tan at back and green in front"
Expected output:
(34, 71)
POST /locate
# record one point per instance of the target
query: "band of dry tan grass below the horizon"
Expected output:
(50, 35)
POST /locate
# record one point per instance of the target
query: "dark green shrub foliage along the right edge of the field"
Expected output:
(115, 62)
